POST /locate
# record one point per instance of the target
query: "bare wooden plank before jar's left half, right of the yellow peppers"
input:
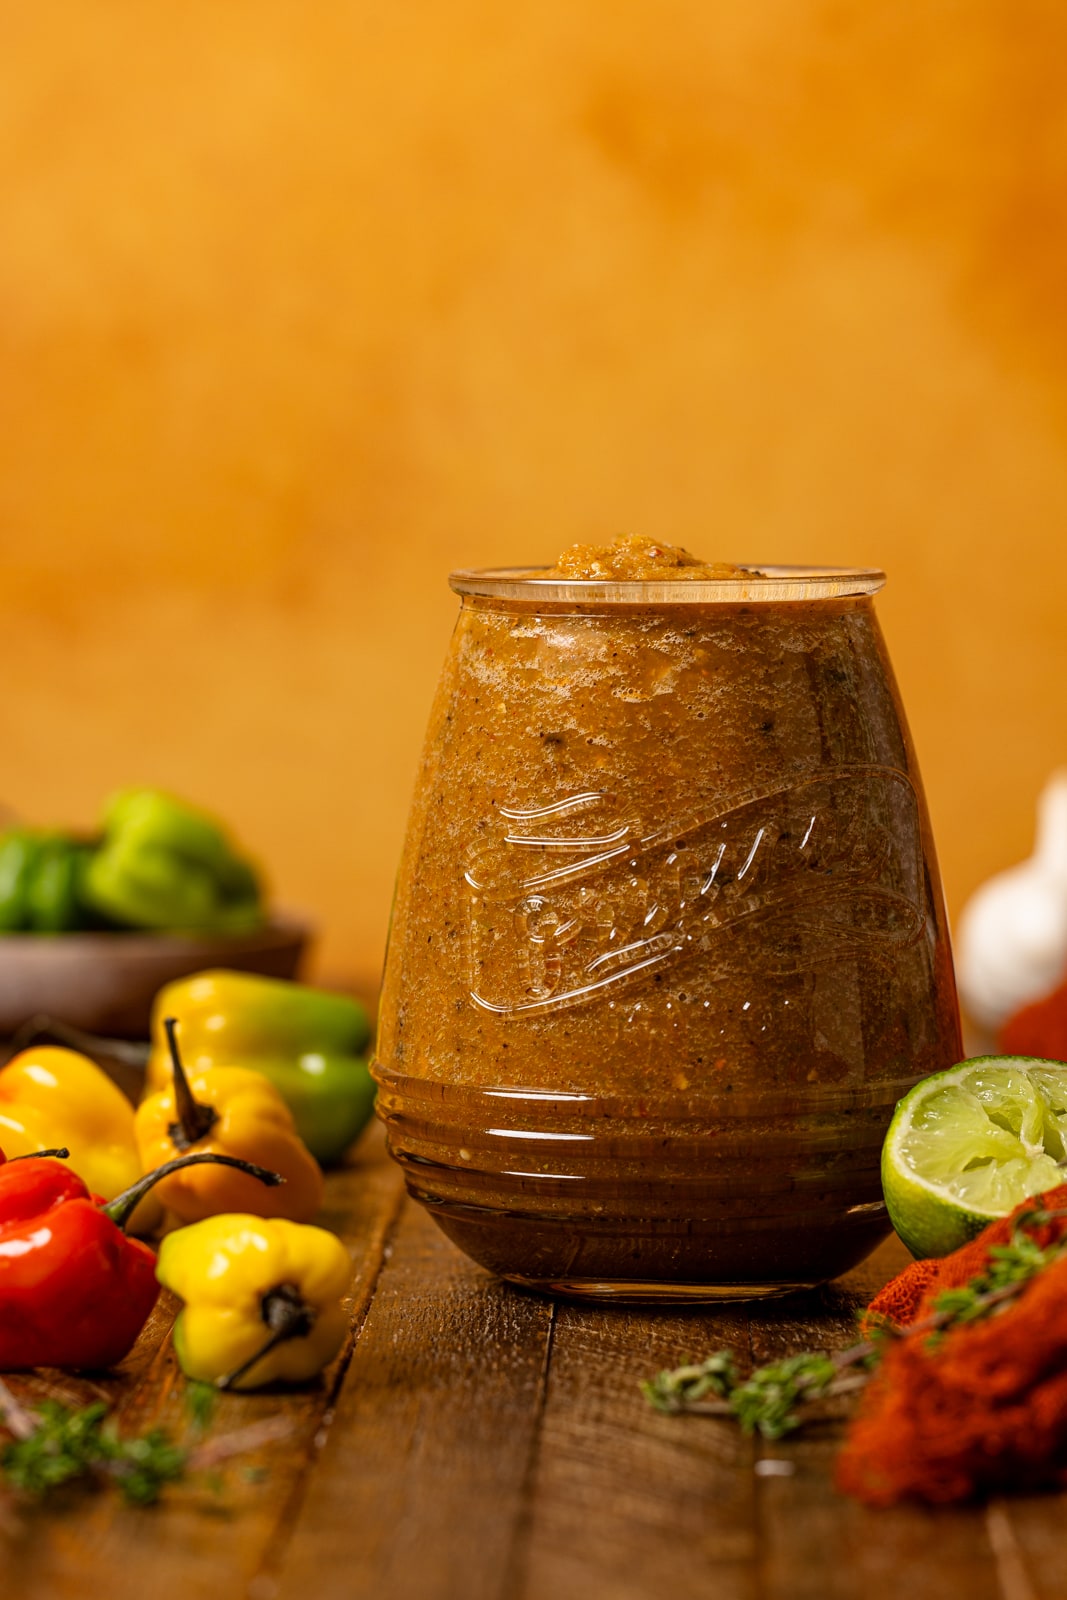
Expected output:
(422, 1479)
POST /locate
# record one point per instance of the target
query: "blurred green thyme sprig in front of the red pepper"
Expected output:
(55, 1444)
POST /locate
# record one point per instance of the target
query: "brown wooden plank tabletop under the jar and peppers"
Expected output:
(476, 1442)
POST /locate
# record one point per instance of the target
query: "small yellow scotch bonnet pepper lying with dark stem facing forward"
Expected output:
(263, 1300)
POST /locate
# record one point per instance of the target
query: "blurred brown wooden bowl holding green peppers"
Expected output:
(105, 983)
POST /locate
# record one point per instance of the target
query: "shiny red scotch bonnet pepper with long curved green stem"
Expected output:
(74, 1290)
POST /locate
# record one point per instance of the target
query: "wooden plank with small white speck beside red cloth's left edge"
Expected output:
(817, 1545)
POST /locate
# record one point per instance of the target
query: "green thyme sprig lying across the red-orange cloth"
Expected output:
(773, 1398)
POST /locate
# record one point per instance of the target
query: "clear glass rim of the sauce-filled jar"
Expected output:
(751, 585)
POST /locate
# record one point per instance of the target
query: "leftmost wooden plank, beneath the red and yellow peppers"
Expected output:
(198, 1543)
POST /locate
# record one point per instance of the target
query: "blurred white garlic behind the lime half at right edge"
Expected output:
(1012, 942)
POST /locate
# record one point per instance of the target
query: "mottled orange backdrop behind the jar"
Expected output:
(305, 305)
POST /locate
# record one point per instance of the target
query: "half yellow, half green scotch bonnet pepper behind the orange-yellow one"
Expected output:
(310, 1044)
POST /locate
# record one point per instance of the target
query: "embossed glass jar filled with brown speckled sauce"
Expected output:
(669, 940)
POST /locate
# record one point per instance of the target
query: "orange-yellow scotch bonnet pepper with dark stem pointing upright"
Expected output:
(230, 1111)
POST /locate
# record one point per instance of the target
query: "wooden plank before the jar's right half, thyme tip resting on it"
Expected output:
(628, 1505)
